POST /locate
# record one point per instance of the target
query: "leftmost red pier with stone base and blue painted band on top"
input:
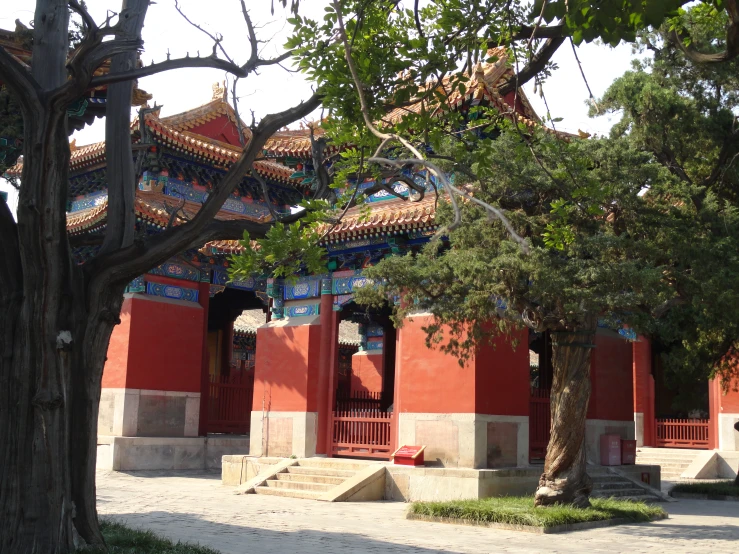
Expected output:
(153, 376)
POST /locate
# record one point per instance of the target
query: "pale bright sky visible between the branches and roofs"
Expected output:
(275, 89)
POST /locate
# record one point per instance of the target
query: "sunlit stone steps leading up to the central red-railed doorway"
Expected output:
(311, 478)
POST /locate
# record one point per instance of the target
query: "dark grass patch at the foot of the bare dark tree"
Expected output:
(124, 540)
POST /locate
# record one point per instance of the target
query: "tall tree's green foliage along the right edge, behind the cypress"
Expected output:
(684, 114)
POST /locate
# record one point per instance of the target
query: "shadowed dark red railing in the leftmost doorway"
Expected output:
(229, 406)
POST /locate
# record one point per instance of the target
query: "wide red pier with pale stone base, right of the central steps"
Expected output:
(475, 415)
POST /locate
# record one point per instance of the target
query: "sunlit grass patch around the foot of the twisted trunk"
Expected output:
(516, 510)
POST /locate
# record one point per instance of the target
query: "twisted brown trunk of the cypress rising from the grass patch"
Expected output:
(565, 480)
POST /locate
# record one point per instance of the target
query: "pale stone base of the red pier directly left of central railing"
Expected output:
(283, 434)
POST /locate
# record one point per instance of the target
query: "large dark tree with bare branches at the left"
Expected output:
(56, 317)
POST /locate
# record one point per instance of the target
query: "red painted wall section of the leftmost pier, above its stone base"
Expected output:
(157, 346)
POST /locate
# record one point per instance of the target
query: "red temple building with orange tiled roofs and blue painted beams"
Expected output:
(201, 366)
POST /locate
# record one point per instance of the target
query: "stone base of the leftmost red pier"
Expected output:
(148, 413)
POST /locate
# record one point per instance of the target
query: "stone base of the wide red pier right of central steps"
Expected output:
(467, 440)
